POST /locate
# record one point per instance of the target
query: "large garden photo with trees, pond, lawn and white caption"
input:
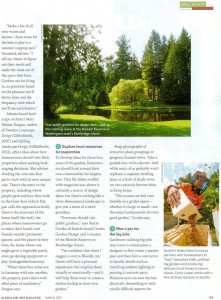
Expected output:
(89, 94)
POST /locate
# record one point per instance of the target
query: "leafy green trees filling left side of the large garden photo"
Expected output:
(70, 58)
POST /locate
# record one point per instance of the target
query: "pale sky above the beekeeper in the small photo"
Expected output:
(173, 171)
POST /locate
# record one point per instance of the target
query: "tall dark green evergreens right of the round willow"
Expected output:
(166, 67)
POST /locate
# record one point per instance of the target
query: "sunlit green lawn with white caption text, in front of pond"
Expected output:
(85, 125)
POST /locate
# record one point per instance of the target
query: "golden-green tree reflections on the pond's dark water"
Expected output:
(148, 116)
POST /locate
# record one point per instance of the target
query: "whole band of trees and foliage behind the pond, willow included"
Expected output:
(76, 75)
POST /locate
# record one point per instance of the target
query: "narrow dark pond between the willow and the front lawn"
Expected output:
(140, 115)
